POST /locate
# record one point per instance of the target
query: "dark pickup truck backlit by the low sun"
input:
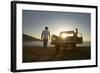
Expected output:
(67, 39)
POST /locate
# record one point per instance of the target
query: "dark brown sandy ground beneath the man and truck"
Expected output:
(37, 54)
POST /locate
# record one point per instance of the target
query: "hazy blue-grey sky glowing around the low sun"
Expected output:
(35, 21)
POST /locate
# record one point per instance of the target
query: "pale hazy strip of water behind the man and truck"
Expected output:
(40, 43)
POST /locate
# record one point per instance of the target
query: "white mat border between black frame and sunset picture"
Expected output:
(38, 65)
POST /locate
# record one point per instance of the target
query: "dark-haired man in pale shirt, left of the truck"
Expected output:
(45, 36)
